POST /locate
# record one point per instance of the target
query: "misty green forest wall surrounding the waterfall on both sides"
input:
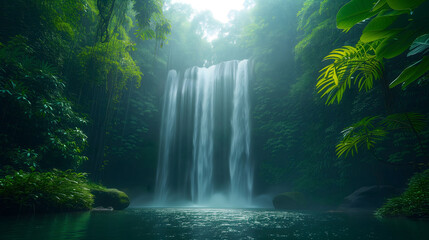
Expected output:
(82, 82)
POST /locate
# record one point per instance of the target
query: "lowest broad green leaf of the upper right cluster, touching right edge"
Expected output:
(412, 73)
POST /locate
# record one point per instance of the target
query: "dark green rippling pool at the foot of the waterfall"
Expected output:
(200, 223)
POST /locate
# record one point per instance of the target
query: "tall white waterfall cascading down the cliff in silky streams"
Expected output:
(205, 137)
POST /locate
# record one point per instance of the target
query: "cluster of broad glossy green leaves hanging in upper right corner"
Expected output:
(398, 26)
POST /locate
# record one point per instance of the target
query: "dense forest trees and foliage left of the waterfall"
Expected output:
(98, 109)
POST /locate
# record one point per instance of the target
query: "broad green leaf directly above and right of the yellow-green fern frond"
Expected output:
(396, 44)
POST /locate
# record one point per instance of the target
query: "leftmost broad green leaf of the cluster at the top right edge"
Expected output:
(354, 12)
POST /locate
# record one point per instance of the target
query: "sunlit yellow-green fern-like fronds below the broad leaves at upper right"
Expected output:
(357, 65)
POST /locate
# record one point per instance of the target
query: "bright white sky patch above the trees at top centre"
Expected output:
(219, 8)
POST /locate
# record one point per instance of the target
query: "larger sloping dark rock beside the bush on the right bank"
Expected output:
(369, 197)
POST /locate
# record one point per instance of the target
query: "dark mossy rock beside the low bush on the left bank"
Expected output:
(110, 197)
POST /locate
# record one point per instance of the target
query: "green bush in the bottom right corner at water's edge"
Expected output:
(414, 202)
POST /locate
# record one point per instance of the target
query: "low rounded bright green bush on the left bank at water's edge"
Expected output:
(26, 192)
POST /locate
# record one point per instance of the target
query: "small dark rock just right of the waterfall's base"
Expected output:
(290, 201)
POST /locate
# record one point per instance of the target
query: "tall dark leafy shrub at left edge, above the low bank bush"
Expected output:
(40, 120)
